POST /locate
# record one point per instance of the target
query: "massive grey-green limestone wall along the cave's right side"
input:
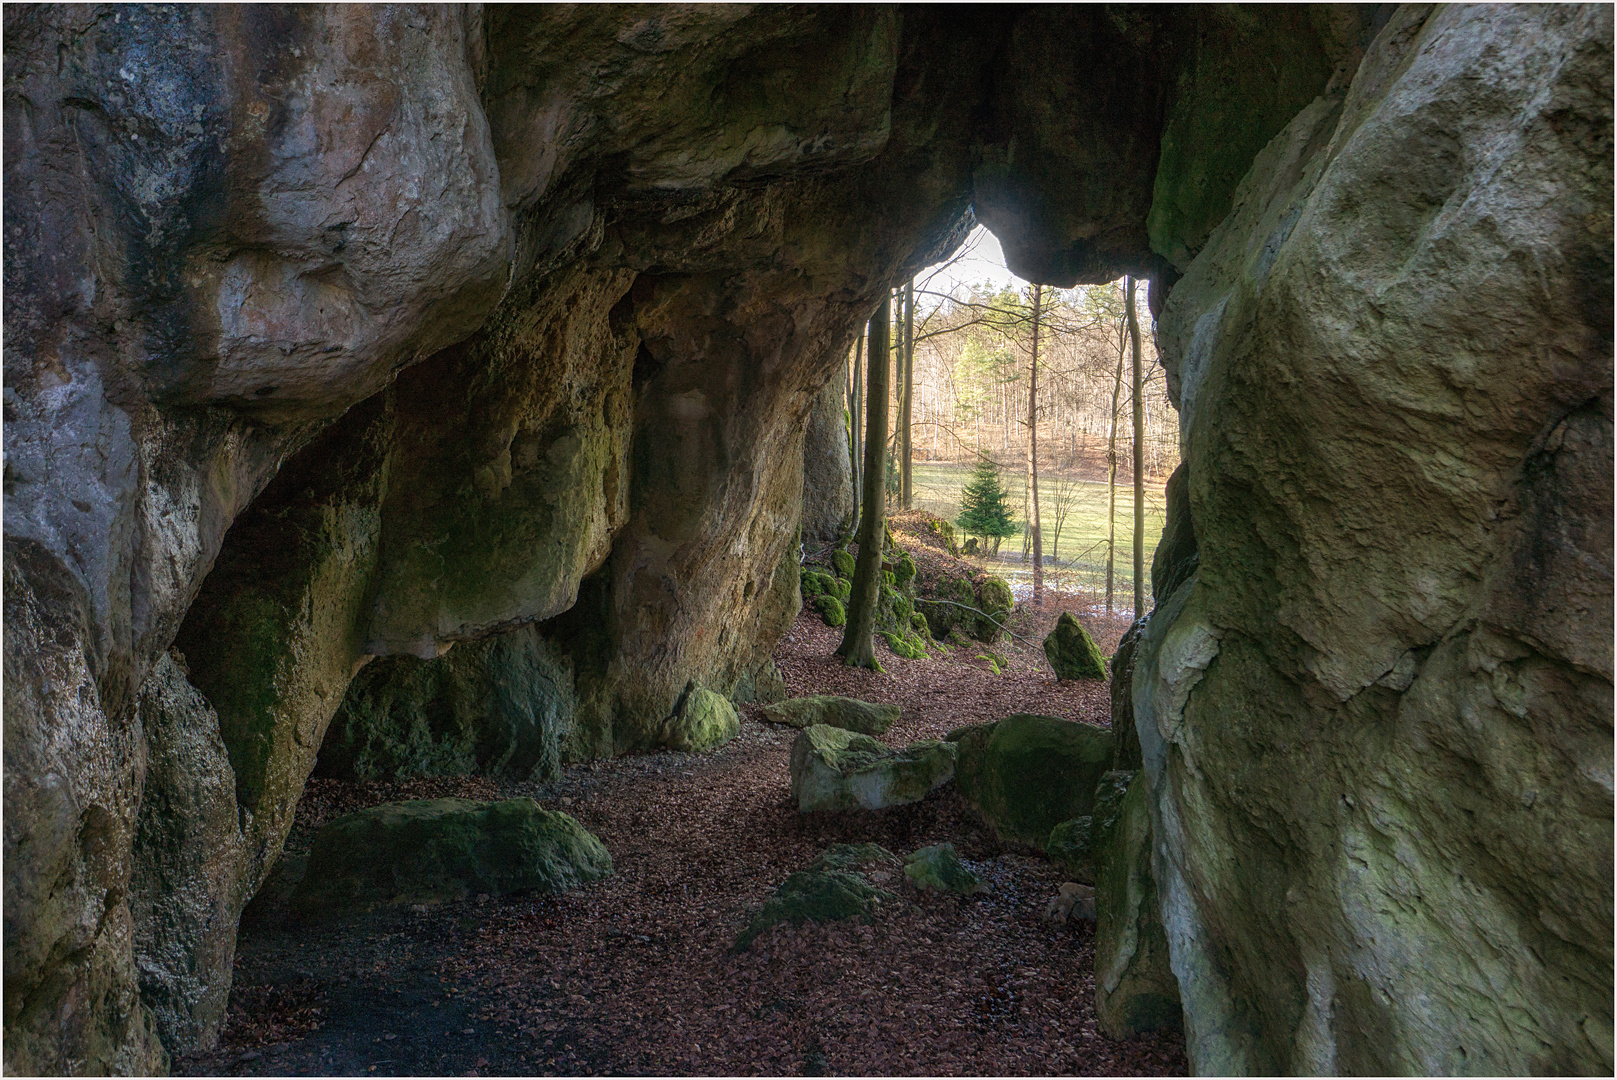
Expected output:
(1378, 719)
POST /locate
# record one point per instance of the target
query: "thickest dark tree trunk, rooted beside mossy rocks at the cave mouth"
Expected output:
(859, 646)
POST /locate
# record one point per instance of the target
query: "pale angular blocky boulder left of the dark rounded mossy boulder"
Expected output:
(843, 770)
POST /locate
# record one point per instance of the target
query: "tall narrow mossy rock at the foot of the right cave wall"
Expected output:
(1134, 987)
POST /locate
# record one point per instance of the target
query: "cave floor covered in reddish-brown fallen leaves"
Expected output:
(635, 976)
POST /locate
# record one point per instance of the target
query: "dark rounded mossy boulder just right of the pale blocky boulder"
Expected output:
(1026, 775)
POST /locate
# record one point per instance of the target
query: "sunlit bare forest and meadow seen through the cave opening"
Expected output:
(968, 399)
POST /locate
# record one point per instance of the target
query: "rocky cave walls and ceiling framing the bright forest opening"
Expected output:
(352, 350)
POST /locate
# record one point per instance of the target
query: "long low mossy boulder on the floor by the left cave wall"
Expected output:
(431, 851)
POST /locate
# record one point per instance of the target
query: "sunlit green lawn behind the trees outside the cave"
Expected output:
(1081, 552)
